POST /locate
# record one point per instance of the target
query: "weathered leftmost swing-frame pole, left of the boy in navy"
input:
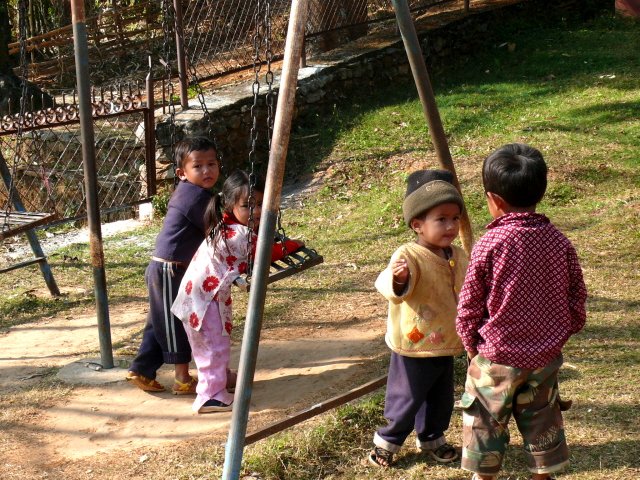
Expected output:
(90, 179)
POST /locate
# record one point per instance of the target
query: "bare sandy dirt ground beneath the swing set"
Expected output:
(104, 416)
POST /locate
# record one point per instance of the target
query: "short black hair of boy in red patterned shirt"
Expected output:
(517, 172)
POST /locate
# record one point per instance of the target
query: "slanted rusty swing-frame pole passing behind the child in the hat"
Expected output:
(429, 106)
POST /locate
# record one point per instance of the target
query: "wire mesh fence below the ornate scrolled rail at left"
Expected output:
(47, 175)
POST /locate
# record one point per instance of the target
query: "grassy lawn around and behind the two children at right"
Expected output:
(571, 92)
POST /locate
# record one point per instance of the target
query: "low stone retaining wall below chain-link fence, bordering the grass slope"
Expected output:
(376, 60)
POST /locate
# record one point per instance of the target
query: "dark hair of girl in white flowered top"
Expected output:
(233, 189)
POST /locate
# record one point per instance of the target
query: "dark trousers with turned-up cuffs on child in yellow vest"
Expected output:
(419, 396)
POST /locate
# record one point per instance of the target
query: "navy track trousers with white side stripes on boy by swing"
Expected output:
(164, 339)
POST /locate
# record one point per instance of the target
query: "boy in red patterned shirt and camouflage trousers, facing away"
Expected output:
(522, 298)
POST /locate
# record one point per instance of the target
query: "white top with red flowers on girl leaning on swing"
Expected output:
(210, 276)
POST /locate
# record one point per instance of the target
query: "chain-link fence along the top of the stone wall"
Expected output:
(220, 34)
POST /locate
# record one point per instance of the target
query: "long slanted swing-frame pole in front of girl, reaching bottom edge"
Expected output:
(268, 222)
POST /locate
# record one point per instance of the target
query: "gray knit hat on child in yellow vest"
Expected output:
(427, 189)
